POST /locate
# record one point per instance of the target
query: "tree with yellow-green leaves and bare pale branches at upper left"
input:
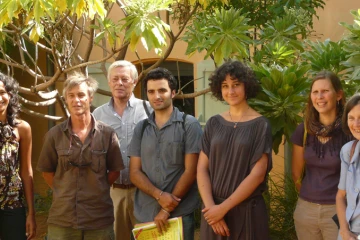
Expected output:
(58, 29)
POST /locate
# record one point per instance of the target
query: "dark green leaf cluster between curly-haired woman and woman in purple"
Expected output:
(282, 98)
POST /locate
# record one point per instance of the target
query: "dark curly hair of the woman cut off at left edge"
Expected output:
(11, 87)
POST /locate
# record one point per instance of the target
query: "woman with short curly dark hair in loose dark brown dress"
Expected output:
(234, 160)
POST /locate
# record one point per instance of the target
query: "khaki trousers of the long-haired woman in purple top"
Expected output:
(314, 221)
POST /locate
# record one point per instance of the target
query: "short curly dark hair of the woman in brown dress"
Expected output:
(237, 70)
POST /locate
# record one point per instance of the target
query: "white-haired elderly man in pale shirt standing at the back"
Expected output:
(123, 112)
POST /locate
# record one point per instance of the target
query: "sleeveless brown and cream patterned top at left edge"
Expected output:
(10, 182)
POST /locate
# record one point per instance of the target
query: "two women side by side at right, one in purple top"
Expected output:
(326, 163)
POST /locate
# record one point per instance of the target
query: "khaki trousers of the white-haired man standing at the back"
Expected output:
(123, 200)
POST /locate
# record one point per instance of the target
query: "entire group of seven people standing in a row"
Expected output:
(134, 161)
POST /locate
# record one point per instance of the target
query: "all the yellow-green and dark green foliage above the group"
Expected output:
(269, 34)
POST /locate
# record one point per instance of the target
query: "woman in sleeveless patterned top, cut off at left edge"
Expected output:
(16, 176)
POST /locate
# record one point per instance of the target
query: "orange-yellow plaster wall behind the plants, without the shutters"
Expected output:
(326, 27)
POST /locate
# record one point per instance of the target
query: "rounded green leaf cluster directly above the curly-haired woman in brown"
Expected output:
(223, 34)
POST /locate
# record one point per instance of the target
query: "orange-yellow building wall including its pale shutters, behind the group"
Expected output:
(325, 27)
